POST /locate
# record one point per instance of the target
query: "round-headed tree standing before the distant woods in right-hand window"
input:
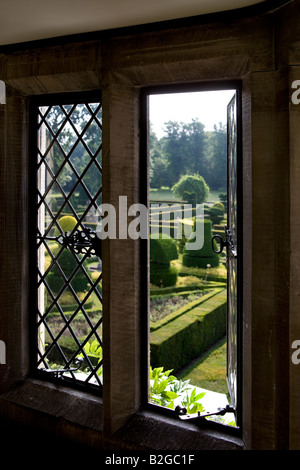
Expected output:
(191, 188)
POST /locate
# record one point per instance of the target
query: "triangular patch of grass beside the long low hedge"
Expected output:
(209, 371)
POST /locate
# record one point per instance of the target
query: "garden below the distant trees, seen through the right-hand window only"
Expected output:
(188, 306)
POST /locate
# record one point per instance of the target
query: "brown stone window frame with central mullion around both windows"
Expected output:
(116, 64)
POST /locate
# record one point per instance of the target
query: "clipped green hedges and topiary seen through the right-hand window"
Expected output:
(186, 333)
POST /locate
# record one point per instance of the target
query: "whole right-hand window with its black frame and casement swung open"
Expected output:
(193, 293)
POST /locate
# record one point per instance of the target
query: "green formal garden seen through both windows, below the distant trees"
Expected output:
(187, 313)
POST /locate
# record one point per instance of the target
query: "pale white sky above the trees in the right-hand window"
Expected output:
(209, 107)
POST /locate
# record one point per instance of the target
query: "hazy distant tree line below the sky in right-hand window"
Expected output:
(188, 149)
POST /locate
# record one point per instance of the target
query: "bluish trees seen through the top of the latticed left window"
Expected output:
(66, 122)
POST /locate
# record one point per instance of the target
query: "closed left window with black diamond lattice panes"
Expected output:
(67, 321)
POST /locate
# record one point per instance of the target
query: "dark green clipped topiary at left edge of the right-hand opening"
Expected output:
(162, 250)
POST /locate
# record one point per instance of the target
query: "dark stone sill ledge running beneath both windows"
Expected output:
(36, 411)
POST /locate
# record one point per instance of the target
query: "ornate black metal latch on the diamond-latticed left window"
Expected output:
(83, 241)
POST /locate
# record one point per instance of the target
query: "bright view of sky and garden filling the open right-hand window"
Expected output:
(188, 281)
